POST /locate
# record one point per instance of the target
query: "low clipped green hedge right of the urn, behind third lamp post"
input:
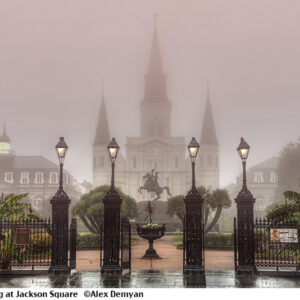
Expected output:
(211, 241)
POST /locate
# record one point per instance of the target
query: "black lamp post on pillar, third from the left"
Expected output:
(193, 237)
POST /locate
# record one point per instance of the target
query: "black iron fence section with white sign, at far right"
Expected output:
(276, 244)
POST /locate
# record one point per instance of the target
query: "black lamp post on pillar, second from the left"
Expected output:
(112, 205)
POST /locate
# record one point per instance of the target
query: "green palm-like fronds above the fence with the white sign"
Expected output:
(287, 211)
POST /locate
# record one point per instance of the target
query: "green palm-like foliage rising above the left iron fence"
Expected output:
(12, 206)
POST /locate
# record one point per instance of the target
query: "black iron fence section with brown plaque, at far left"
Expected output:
(25, 243)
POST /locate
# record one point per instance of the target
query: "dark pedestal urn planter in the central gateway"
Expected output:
(150, 233)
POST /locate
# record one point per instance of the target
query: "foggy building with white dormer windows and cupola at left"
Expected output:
(34, 175)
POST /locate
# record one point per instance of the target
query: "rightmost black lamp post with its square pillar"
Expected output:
(245, 225)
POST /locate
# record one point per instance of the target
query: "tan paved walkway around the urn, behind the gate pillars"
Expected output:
(171, 258)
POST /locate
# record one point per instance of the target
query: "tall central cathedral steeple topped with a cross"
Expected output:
(155, 107)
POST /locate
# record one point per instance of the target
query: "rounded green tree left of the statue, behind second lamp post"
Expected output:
(90, 208)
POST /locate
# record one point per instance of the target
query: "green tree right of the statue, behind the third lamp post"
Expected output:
(213, 201)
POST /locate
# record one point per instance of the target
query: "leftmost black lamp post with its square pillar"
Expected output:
(60, 218)
